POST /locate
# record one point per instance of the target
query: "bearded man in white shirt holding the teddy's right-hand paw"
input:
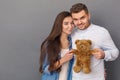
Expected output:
(101, 41)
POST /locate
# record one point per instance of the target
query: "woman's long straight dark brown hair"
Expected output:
(51, 45)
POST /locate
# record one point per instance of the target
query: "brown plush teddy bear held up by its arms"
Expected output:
(83, 54)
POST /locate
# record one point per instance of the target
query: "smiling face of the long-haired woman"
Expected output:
(67, 25)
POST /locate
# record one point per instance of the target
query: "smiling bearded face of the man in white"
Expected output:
(81, 19)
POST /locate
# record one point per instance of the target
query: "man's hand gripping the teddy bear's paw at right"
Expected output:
(98, 53)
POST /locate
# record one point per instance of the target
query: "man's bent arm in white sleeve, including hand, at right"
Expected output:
(108, 50)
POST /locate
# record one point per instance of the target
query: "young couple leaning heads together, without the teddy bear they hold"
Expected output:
(56, 59)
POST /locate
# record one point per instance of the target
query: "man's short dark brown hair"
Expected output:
(78, 7)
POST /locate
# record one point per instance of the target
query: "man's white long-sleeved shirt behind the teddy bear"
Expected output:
(100, 38)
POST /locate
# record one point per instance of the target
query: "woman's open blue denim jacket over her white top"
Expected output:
(46, 75)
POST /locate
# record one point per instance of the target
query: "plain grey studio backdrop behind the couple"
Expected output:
(24, 24)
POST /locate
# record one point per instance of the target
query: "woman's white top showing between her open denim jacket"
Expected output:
(63, 72)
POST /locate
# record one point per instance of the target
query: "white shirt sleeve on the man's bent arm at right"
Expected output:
(111, 51)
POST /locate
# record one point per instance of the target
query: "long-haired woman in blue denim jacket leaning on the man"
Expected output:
(56, 57)
